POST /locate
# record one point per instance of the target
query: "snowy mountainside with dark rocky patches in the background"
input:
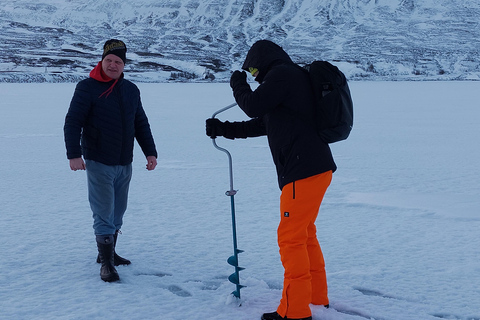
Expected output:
(204, 40)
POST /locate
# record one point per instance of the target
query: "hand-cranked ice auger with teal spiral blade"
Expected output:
(233, 260)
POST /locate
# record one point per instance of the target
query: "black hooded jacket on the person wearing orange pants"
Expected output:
(282, 108)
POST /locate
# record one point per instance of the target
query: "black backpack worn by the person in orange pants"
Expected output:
(334, 105)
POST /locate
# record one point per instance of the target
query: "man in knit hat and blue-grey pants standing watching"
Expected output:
(104, 118)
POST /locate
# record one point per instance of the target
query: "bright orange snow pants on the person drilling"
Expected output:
(305, 280)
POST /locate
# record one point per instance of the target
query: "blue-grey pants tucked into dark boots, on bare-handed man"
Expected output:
(108, 195)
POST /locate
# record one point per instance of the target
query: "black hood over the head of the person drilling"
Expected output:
(263, 55)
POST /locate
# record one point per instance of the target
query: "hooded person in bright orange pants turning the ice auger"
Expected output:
(282, 108)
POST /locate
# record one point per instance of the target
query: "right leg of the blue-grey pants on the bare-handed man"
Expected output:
(121, 186)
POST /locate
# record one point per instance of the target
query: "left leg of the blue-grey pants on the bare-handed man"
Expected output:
(101, 196)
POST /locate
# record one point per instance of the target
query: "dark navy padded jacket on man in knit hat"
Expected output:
(107, 126)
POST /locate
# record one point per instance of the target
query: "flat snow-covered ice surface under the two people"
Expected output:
(399, 225)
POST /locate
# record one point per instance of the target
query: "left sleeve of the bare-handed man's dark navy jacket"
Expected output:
(75, 120)
